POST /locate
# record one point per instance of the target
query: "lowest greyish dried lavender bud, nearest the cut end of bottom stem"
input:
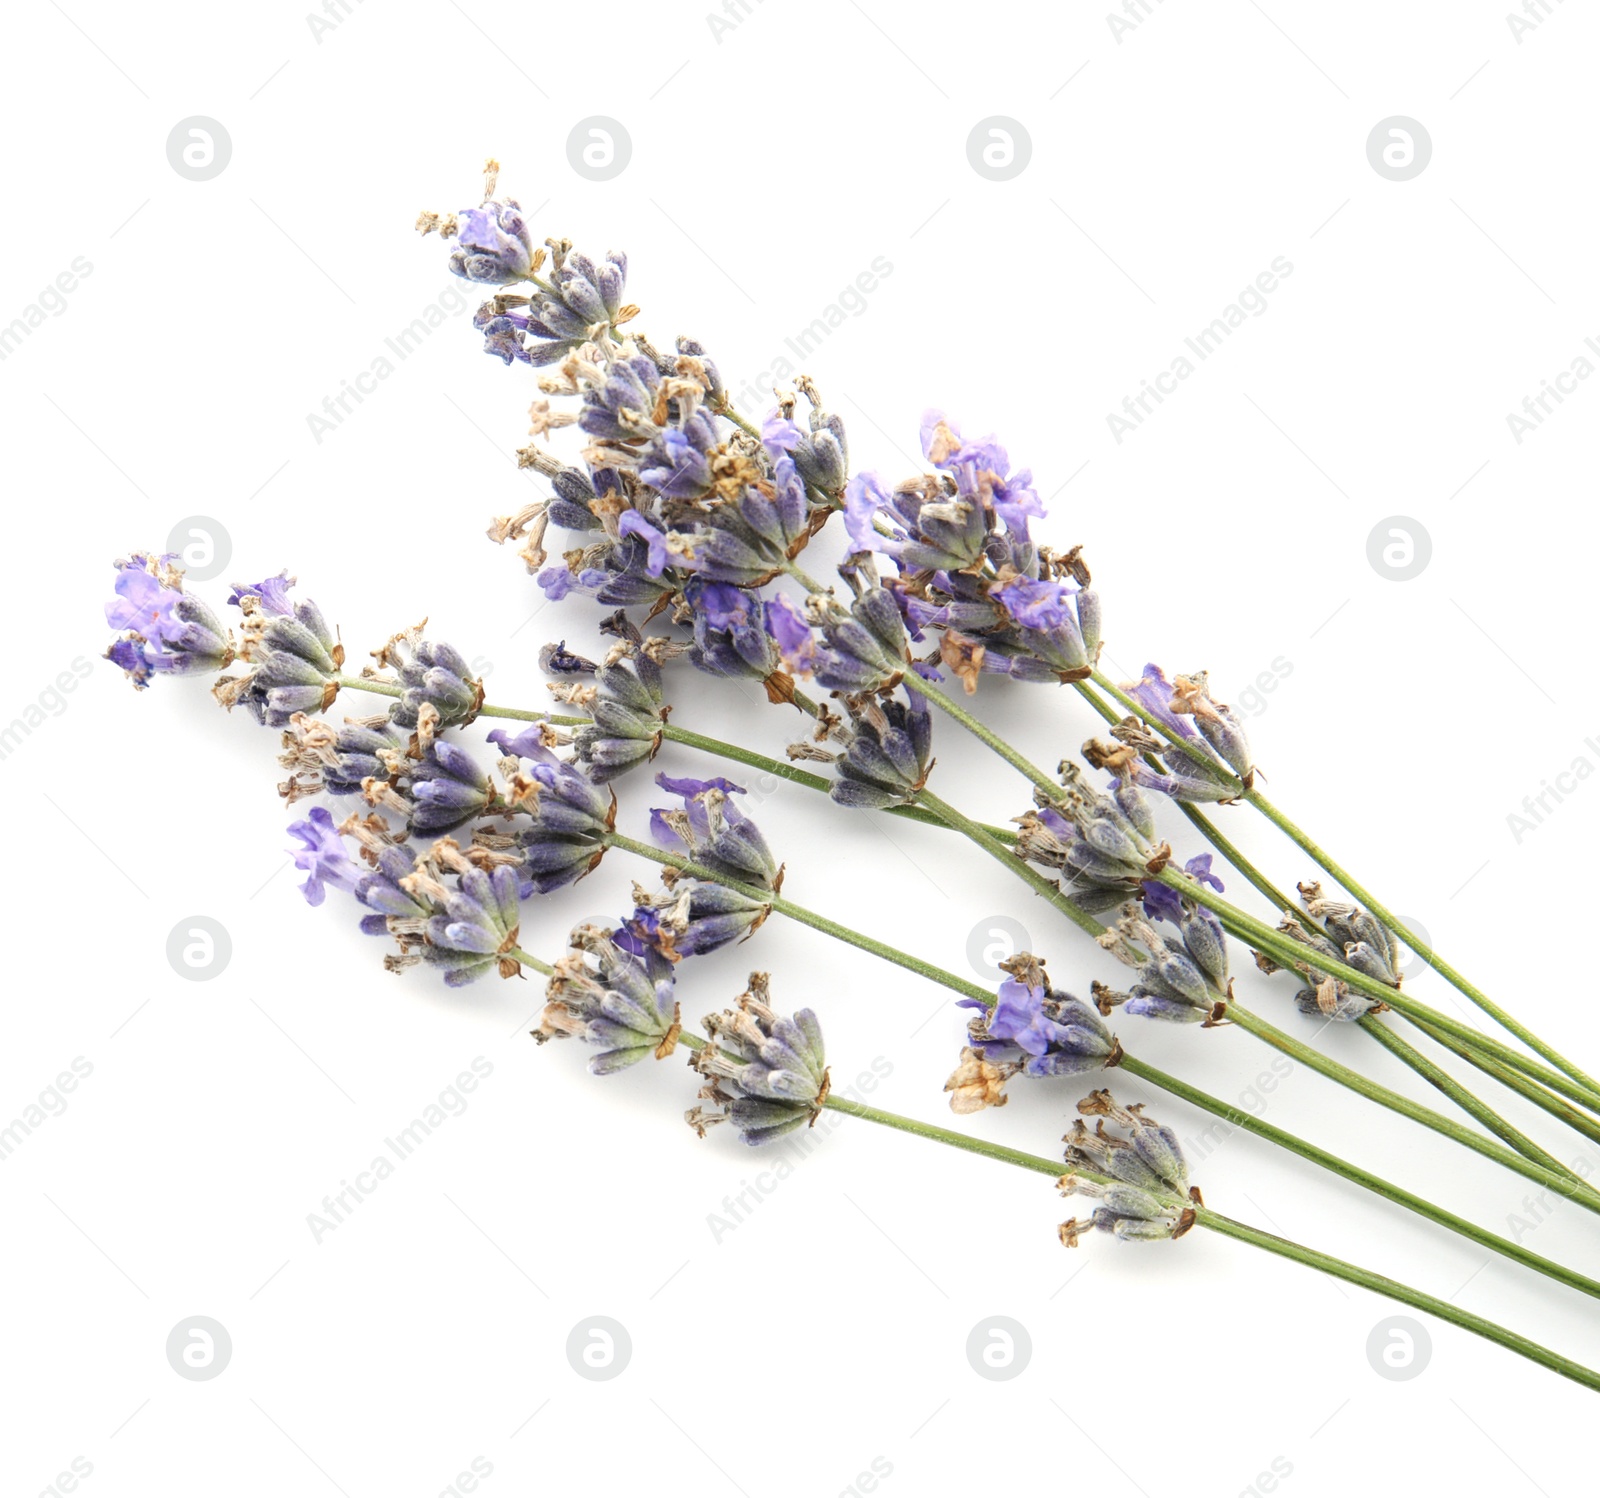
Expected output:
(1150, 1195)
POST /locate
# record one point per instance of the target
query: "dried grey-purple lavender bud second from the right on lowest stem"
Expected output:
(767, 1075)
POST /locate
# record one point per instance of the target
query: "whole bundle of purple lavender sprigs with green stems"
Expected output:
(697, 534)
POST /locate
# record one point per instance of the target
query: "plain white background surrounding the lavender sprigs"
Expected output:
(769, 169)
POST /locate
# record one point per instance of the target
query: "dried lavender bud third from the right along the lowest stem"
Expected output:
(615, 999)
